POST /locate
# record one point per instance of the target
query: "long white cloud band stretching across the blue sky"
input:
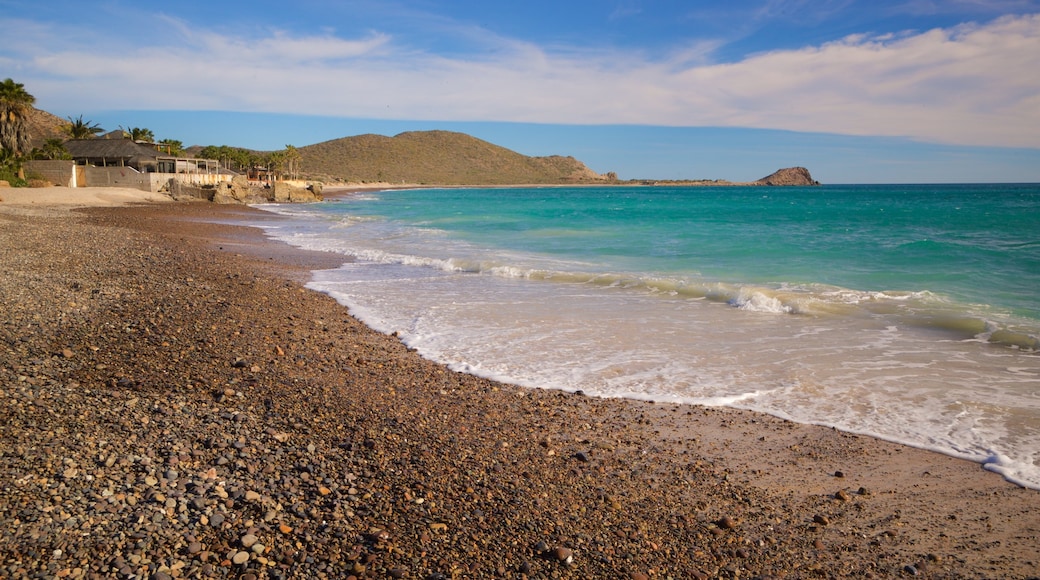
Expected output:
(974, 85)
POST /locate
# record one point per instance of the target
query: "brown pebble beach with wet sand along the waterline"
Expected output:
(177, 405)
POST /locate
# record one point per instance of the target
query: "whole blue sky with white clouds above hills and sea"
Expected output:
(860, 92)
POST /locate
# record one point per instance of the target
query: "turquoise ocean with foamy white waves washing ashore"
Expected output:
(909, 313)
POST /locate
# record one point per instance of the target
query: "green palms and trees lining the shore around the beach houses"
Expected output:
(17, 104)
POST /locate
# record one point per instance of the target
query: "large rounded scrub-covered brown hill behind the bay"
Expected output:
(436, 157)
